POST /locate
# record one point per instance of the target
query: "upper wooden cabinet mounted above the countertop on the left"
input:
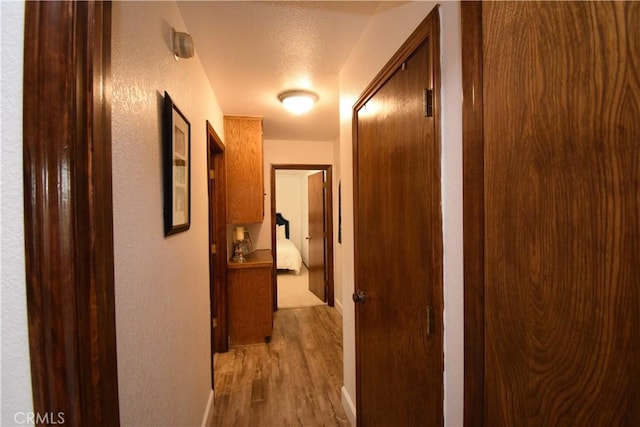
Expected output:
(245, 176)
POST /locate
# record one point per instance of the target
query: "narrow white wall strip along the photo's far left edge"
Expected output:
(16, 374)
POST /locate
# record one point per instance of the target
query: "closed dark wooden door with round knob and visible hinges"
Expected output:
(398, 241)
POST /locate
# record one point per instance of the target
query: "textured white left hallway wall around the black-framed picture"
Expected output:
(161, 283)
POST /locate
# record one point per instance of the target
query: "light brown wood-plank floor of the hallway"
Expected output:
(293, 381)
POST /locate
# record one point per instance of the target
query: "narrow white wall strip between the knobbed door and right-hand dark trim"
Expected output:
(451, 58)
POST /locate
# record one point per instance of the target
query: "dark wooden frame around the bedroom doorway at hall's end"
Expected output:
(328, 215)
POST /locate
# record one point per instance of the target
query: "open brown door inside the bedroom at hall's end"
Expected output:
(317, 282)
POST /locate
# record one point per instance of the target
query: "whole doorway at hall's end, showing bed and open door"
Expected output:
(302, 221)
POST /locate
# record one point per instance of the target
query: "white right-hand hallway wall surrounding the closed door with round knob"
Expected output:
(381, 39)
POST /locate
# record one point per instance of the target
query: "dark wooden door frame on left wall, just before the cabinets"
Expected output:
(217, 207)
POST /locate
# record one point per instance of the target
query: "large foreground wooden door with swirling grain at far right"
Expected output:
(561, 103)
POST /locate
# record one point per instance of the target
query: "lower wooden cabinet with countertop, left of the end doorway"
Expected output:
(250, 292)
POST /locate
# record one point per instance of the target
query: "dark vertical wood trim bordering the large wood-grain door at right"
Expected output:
(473, 212)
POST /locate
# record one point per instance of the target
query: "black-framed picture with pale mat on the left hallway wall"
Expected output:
(176, 162)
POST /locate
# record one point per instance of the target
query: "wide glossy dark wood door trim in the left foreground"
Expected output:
(69, 258)
